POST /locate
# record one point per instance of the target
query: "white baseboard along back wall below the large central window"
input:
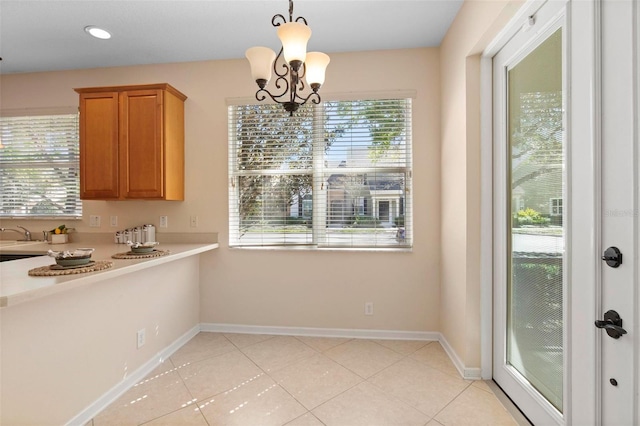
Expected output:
(321, 332)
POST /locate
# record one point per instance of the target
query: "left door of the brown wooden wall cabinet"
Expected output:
(99, 145)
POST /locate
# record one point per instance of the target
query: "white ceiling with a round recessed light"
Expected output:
(49, 35)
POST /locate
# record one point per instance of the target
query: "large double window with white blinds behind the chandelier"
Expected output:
(332, 175)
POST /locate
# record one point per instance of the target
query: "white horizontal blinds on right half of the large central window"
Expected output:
(367, 174)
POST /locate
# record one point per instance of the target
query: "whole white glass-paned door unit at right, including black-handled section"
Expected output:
(565, 204)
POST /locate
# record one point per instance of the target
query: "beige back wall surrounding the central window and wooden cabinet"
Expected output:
(280, 287)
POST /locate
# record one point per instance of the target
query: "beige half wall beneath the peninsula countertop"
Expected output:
(63, 352)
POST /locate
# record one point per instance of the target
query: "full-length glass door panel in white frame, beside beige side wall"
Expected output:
(530, 270)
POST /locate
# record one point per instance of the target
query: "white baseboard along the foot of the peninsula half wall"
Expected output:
(114, 393)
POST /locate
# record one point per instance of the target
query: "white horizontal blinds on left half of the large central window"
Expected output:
(271, 171)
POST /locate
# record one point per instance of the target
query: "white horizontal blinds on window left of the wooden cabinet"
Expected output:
(39, 164)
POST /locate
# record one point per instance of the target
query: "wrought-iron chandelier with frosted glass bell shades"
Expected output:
(298, 65)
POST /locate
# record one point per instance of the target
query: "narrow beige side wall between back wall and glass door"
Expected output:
(476, 24)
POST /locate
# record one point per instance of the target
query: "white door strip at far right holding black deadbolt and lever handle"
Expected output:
(618, 379)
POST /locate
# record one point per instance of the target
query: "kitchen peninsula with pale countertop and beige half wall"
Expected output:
(72, 343)
